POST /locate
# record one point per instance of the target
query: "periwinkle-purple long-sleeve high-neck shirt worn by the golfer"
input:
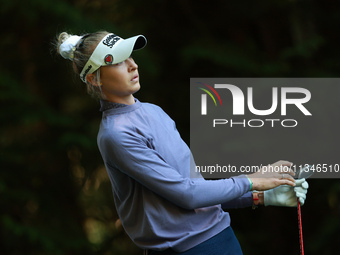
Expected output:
(159, 203)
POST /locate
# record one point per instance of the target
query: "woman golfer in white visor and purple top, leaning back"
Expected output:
(162, 209)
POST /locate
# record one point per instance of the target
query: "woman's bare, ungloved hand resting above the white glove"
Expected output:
(271, 176)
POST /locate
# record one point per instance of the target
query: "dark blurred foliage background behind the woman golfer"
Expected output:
(55, 197)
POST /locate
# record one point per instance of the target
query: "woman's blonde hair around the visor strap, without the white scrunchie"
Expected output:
(81, 55)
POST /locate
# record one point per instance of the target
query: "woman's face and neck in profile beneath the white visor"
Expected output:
(120, 81)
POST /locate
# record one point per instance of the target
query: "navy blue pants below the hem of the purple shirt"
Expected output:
(224, 243)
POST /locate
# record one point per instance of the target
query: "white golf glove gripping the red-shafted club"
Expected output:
(286, 195)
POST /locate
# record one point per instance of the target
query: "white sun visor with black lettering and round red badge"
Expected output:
(112, 49)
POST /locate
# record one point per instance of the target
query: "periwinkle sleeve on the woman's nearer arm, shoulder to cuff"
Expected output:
(128, 152)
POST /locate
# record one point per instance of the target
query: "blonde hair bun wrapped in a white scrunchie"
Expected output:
(67, 44)
